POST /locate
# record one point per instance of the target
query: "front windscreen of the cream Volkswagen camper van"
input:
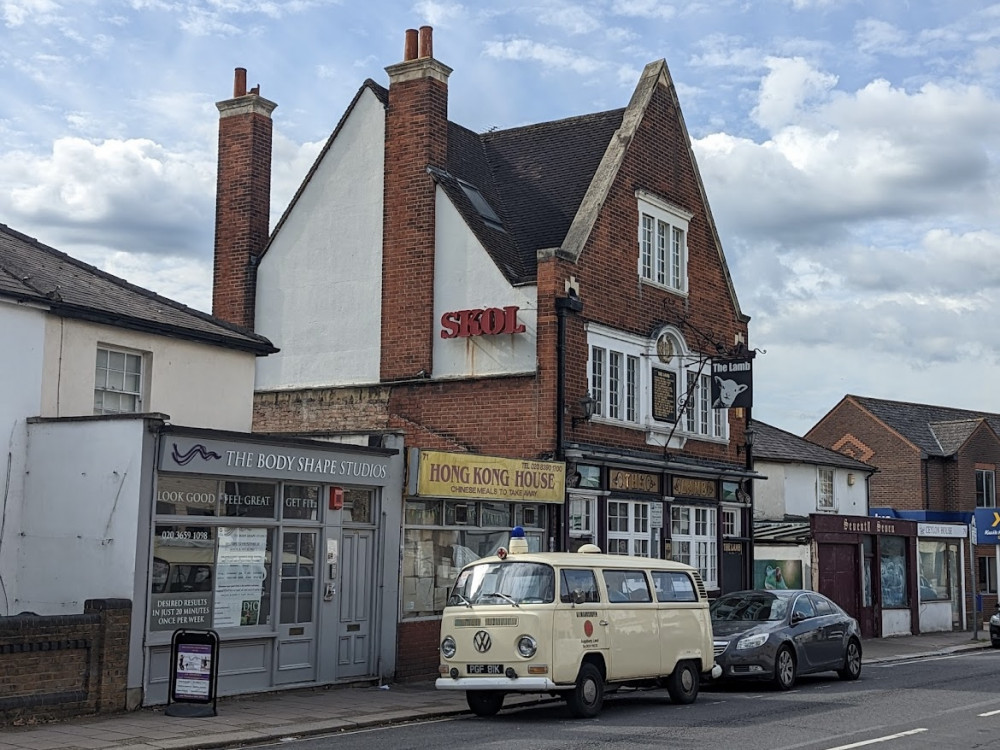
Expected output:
(499, 582)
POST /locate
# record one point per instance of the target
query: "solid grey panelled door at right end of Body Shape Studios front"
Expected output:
(356, 587)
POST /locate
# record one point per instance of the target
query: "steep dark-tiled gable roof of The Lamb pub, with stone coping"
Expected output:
(547, 182)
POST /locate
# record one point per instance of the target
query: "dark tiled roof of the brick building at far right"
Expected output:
(936, 430)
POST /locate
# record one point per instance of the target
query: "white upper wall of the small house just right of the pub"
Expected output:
(790, 488)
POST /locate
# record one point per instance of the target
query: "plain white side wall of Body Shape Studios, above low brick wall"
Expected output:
(80, 519)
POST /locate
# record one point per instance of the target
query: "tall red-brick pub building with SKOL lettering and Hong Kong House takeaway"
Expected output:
(536, 311)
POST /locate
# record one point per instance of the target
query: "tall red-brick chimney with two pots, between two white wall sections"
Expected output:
(416, 137)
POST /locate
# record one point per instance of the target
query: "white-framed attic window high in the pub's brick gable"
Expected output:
(662, 236)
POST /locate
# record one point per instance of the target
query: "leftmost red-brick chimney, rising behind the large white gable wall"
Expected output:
(242, 200)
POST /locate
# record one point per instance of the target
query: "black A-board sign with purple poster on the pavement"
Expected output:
(194, 673)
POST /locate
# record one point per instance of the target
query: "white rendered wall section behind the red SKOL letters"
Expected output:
(466, 278)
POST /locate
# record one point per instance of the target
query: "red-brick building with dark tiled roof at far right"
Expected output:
(936, 466)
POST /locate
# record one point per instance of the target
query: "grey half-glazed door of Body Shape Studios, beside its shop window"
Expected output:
(295, 660)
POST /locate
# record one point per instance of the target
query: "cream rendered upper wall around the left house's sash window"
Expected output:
(195, 384)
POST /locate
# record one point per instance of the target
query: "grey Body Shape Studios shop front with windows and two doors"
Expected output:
(287, 548)
